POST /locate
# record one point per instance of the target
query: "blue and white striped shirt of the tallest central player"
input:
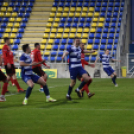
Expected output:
(74, 57)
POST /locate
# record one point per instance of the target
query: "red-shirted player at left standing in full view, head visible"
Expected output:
(9, 63)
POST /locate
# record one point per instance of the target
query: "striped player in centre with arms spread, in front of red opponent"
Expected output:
(75, 67)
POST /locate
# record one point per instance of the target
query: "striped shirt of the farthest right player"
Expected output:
(105, 60)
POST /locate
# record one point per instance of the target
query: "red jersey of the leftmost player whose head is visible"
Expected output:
(7, 55)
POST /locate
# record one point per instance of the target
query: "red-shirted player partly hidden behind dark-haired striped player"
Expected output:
(36, 57)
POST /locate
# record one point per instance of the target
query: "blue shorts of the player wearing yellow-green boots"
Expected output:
(32, 77)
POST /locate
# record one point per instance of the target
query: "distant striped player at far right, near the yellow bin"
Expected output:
(106, 66)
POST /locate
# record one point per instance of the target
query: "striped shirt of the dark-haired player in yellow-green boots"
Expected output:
(26, 70)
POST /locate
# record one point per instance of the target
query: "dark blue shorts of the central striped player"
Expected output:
(79, 71)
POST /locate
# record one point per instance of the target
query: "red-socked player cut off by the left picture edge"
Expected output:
(5, 81)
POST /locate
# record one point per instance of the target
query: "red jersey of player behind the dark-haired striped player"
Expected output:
(36, 57)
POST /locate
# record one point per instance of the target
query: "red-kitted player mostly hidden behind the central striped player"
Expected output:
(84, 62)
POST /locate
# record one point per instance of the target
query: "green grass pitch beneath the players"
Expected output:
(110, 111)
